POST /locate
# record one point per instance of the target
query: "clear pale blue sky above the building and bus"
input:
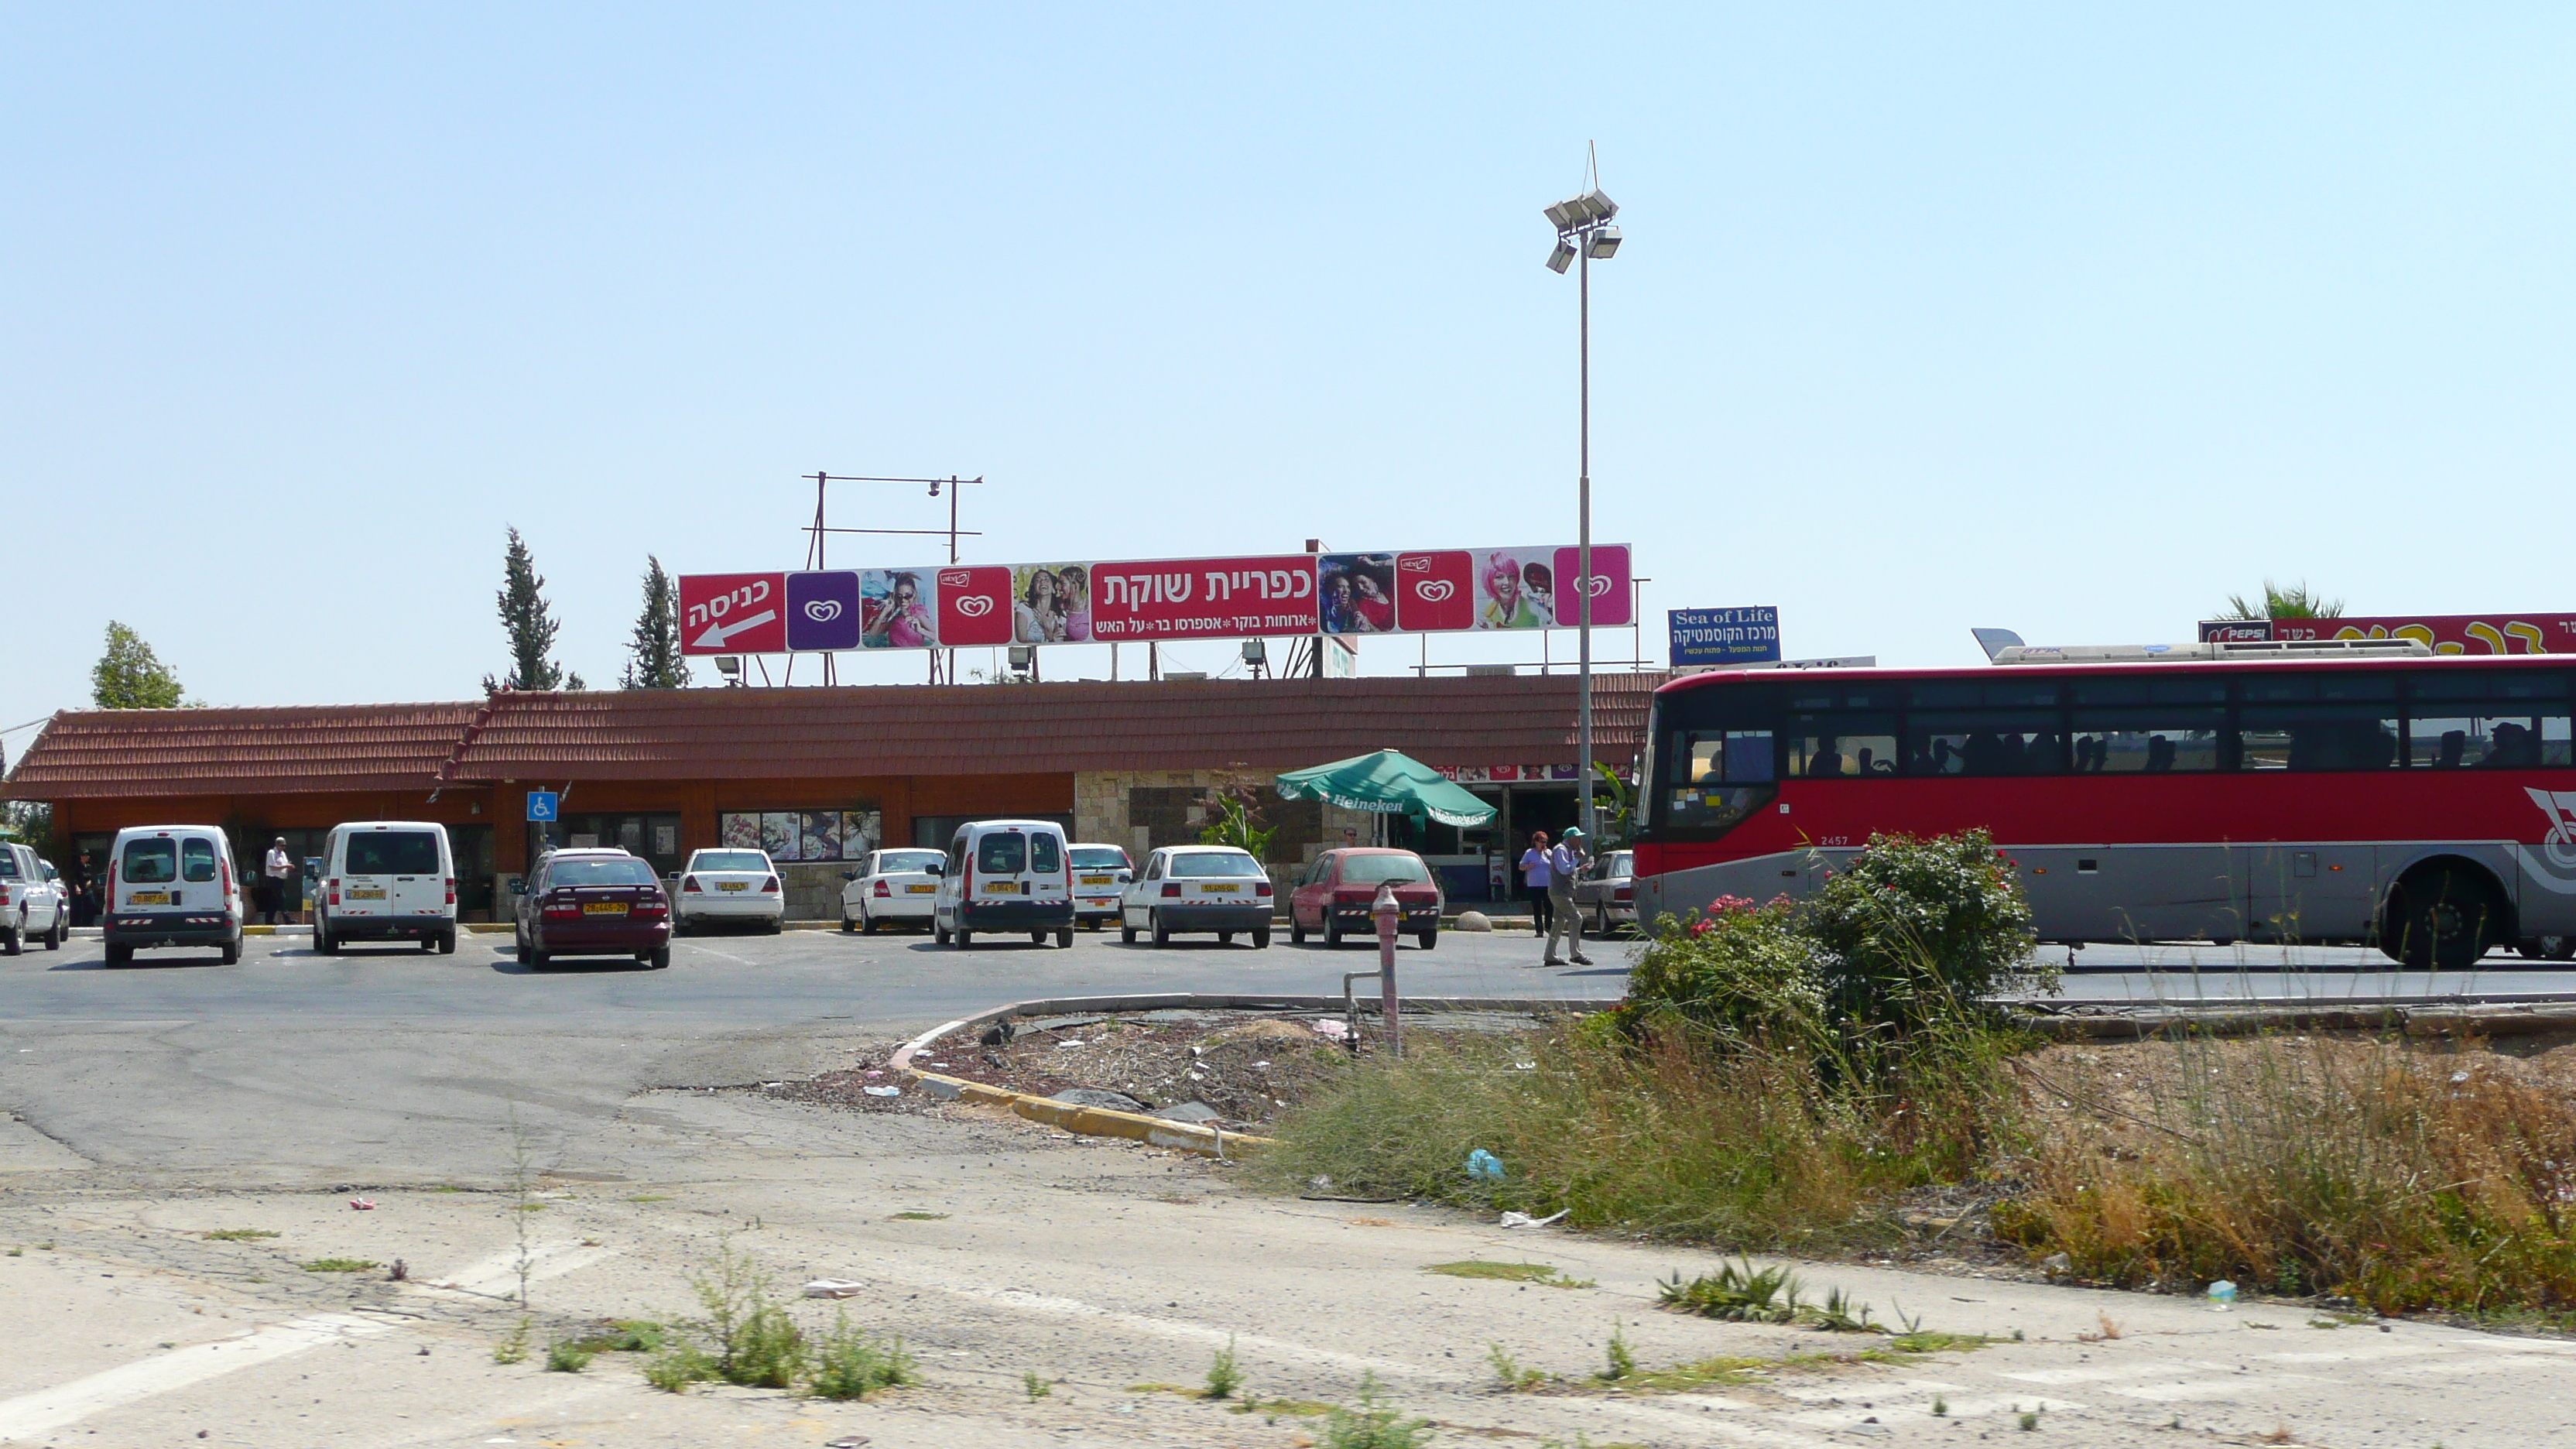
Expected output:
(2054, 318)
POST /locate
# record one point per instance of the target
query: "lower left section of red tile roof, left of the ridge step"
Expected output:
(238, 752)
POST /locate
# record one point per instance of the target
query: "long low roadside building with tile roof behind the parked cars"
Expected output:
(820, 777)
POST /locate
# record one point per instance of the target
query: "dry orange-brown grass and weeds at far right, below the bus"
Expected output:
(2405, 1180)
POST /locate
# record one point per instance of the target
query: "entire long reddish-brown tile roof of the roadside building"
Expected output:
(787, 734)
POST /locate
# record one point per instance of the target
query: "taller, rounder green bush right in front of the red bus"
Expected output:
(1913, 929)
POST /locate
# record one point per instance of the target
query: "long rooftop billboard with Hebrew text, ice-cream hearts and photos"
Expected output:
(1153, 599)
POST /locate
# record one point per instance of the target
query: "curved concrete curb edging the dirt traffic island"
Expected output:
(1135, 1125)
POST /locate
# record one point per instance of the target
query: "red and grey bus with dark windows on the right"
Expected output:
(2425, 806)
